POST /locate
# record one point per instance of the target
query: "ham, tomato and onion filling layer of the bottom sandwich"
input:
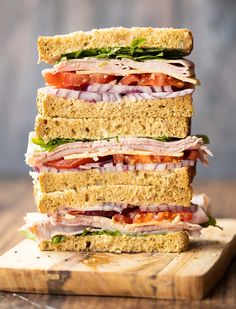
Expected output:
(117, 219)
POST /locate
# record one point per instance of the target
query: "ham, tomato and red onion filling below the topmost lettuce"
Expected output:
(120, 76)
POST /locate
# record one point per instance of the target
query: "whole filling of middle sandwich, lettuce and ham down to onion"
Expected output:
(124, 153)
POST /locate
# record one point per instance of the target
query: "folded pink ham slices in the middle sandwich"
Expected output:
(125, 145)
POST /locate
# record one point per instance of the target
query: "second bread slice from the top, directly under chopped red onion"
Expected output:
(50, 105)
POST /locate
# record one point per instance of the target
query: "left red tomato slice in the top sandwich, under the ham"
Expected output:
(71, 79)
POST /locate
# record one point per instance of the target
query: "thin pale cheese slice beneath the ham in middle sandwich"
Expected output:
(112, 152)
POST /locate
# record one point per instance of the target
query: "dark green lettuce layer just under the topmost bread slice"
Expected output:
(134, 51)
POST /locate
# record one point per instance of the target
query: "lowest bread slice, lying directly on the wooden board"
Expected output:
(172, 242)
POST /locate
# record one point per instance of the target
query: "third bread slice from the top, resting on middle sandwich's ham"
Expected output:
(98, 128)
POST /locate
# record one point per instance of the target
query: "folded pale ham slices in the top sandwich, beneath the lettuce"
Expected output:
(181, 69)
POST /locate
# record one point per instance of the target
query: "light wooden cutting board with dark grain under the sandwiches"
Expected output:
(188, 275)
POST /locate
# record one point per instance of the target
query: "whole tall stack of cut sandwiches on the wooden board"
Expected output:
(112, 151)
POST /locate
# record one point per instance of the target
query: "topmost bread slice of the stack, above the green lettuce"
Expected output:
(51, 48)
